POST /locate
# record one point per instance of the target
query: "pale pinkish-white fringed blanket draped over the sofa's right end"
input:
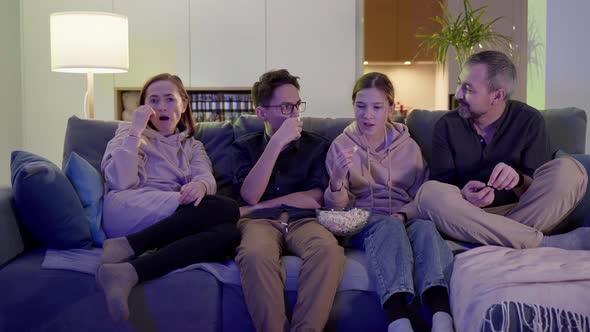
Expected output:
(546, 277)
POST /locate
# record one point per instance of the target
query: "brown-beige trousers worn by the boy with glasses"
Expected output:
(263, 276)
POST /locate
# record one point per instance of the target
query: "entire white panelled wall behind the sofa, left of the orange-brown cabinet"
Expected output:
(315, 40)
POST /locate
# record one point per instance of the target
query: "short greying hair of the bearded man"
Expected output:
(501, 70)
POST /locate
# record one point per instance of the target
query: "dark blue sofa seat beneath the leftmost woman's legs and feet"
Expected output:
(37, 299)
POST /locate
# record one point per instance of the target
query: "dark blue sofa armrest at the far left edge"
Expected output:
(11, 240)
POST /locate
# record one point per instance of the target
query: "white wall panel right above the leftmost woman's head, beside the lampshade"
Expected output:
(158, 40)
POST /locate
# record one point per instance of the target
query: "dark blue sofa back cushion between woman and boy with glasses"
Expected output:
(217, 137)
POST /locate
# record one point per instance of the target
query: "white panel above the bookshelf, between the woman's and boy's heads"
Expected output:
(227, 42)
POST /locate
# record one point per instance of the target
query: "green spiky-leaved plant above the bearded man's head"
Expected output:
(468, 30)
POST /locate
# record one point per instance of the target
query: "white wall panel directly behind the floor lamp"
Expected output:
(51, 98)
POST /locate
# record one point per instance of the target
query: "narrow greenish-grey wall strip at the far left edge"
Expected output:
(10, 86)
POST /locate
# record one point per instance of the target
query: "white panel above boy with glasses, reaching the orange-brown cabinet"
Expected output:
(315, 40)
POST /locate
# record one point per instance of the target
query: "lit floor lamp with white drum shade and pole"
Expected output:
(89, 42)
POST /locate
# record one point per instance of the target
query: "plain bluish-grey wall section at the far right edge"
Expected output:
(567, 67)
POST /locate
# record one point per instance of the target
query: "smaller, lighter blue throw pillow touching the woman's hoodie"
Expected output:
(89, 185)
